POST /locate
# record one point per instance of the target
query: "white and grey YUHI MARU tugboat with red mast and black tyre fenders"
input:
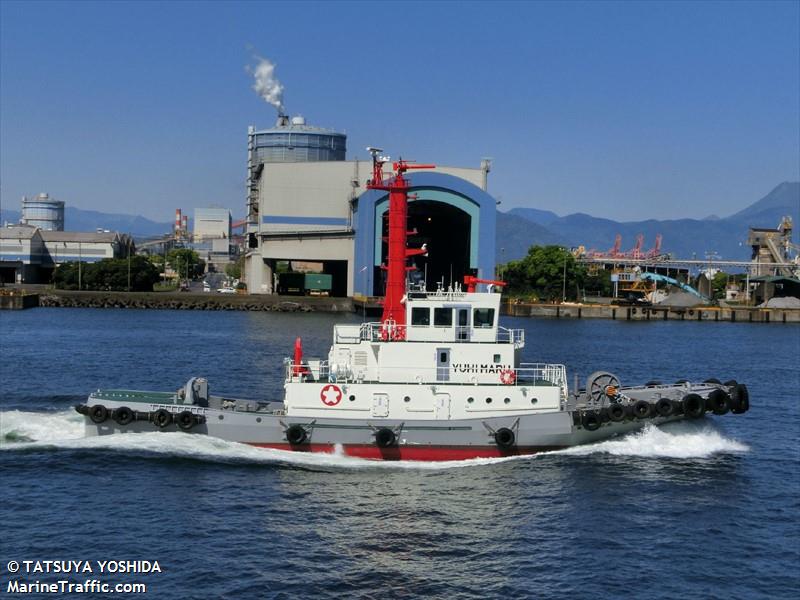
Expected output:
(437, 378)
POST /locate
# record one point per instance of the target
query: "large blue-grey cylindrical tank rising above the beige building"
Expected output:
(292, 140)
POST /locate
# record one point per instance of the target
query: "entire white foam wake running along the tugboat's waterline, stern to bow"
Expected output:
(25, 430)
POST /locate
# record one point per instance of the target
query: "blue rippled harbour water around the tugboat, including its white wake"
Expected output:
(706, 510)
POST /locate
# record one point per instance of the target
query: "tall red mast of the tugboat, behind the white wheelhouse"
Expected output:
(394, 313)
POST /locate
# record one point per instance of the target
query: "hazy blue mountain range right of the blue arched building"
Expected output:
(683, 238)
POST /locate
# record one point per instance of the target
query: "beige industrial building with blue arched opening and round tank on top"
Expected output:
(307, 203)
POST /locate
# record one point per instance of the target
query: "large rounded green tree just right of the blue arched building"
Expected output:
(548, 272)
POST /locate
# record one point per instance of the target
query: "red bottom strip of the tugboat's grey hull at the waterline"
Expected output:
(421, 453)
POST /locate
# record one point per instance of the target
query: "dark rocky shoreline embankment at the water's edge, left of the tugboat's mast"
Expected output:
(193, 301)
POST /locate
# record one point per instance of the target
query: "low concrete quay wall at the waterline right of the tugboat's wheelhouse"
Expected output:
(653, 313)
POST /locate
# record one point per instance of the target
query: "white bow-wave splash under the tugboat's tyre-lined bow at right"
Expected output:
(677, 440)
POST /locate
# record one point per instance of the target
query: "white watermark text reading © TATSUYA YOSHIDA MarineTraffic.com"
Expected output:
(76, 576)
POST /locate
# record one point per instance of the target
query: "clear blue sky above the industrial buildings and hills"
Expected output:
(625, 110)
